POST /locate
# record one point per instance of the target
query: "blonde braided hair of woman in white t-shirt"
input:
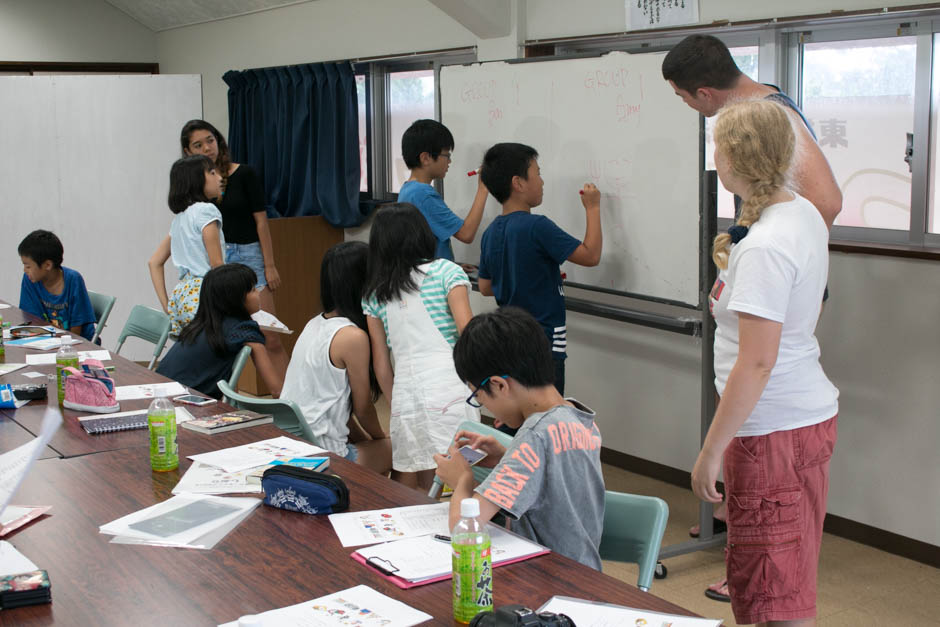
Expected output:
(758, 140)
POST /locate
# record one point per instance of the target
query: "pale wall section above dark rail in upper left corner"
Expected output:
(72, 31)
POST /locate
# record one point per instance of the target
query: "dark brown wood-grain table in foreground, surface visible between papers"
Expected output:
(273, 559)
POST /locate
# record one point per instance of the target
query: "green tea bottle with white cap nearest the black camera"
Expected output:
(473, 573)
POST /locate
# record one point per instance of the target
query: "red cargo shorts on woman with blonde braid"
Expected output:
(776, 487)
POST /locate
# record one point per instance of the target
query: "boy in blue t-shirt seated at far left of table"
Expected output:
(50, 291)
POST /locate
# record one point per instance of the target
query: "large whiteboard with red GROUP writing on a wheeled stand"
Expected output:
(609, 120)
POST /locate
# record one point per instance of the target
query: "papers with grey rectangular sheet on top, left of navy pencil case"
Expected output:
(186, 521)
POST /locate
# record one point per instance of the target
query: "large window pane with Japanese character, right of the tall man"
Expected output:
(858, 95)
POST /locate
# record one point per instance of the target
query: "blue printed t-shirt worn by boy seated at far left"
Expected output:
(71, 308)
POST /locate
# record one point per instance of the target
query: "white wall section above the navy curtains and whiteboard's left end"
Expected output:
(325, 30)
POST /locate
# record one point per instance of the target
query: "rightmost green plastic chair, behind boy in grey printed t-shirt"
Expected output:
(633, 532)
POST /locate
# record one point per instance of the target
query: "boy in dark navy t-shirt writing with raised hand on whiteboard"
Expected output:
(520, 253)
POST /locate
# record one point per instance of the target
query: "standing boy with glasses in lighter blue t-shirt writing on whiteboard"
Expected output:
(426, 148)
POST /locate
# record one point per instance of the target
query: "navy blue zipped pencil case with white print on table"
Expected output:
(304, 490)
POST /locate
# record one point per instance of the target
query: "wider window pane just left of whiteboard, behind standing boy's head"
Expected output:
(411, 97)
